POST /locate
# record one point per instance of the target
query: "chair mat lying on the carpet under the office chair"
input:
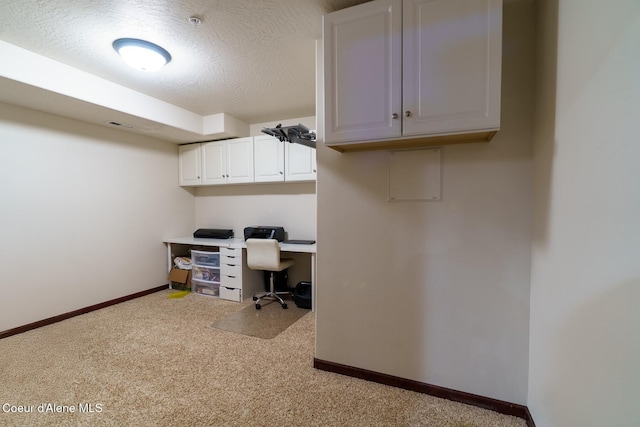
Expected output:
(266, 323)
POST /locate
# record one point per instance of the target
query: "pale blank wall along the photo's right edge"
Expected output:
(585, 286)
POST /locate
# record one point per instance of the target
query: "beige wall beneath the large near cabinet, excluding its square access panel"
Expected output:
(436, 292)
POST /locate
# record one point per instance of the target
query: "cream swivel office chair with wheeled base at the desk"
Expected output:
(264, 254)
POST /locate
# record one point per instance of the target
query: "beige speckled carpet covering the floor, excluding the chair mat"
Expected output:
(156, 361)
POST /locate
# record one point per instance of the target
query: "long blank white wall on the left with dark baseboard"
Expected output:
(83, 214)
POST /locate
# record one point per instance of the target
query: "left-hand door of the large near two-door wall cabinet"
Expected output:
(362, 72)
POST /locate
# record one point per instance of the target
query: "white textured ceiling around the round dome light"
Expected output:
(251, 59)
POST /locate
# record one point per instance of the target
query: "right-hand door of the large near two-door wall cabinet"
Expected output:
(452, 65)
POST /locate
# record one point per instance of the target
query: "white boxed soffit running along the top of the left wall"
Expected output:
(70, 92)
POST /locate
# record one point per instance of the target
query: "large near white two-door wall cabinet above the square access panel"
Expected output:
(398, 72)
